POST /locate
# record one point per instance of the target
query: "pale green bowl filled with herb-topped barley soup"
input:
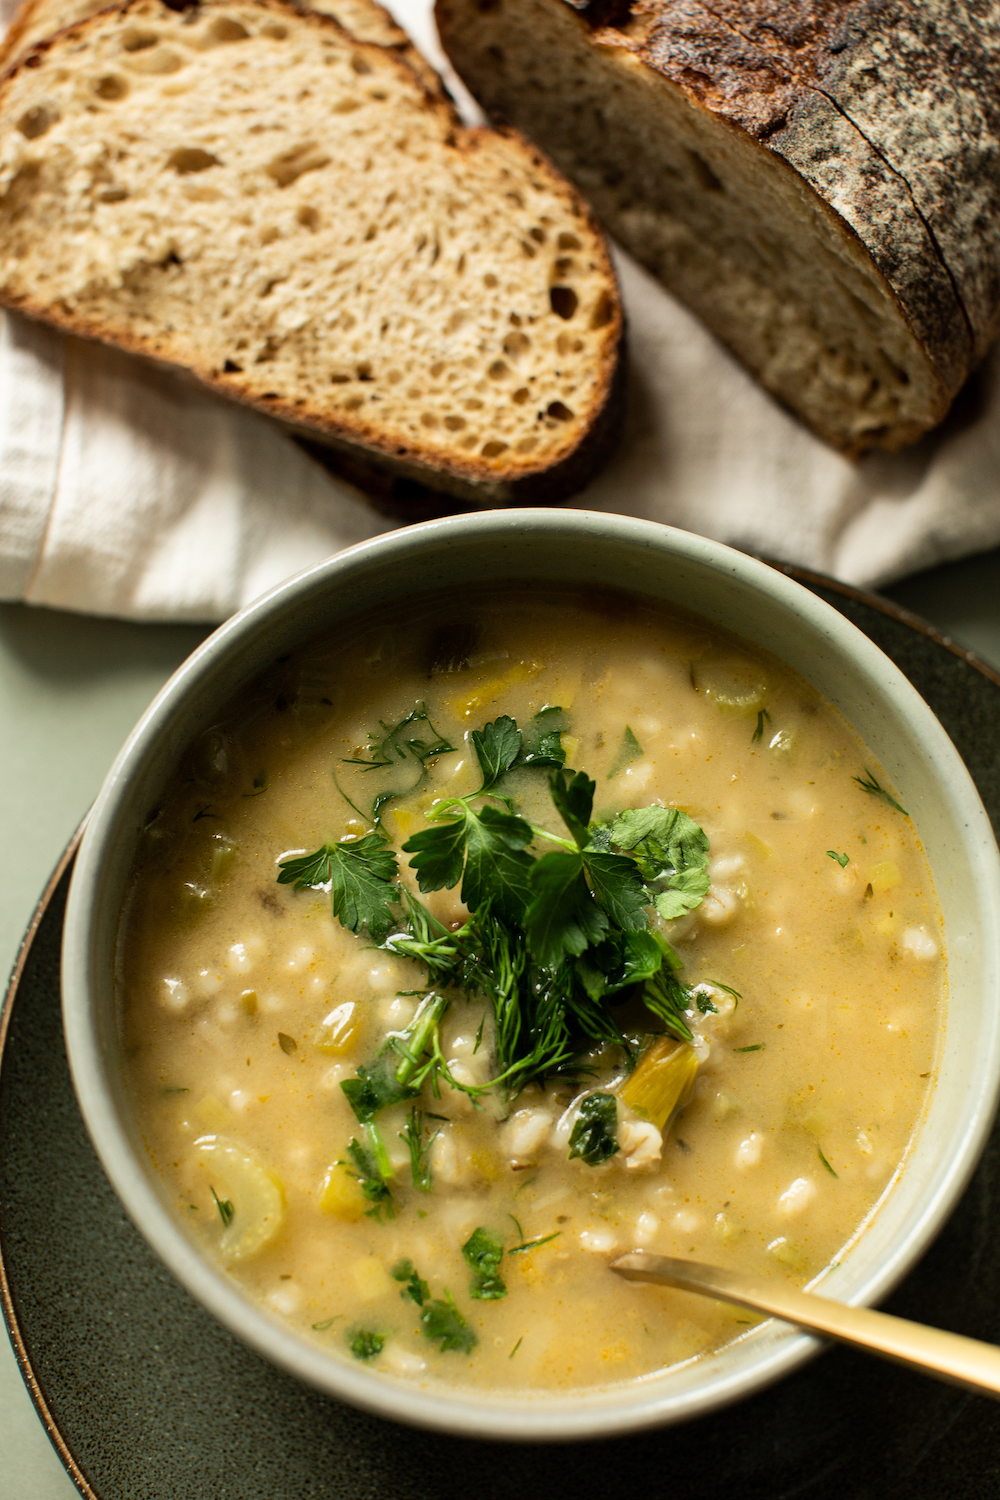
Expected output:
(510, 893)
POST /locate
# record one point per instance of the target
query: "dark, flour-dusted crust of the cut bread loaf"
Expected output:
(825, 88)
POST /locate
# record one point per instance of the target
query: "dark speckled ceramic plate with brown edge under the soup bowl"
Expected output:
(148, 1399)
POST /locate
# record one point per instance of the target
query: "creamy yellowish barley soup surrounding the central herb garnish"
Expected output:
(813, 976)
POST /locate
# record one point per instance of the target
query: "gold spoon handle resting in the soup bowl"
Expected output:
(948, 1357)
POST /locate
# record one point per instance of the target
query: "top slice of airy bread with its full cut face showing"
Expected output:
(250, 193)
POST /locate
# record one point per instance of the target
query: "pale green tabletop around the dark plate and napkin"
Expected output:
(71, 689)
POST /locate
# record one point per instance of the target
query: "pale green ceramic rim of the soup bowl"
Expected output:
(611, 1411)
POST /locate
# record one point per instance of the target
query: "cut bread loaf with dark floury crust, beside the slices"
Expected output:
(818, 179)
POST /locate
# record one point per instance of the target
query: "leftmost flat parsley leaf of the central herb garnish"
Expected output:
(362, 875)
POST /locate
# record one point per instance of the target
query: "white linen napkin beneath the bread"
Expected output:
(127, 491)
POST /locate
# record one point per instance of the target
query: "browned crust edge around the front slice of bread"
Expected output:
(353, 446)
